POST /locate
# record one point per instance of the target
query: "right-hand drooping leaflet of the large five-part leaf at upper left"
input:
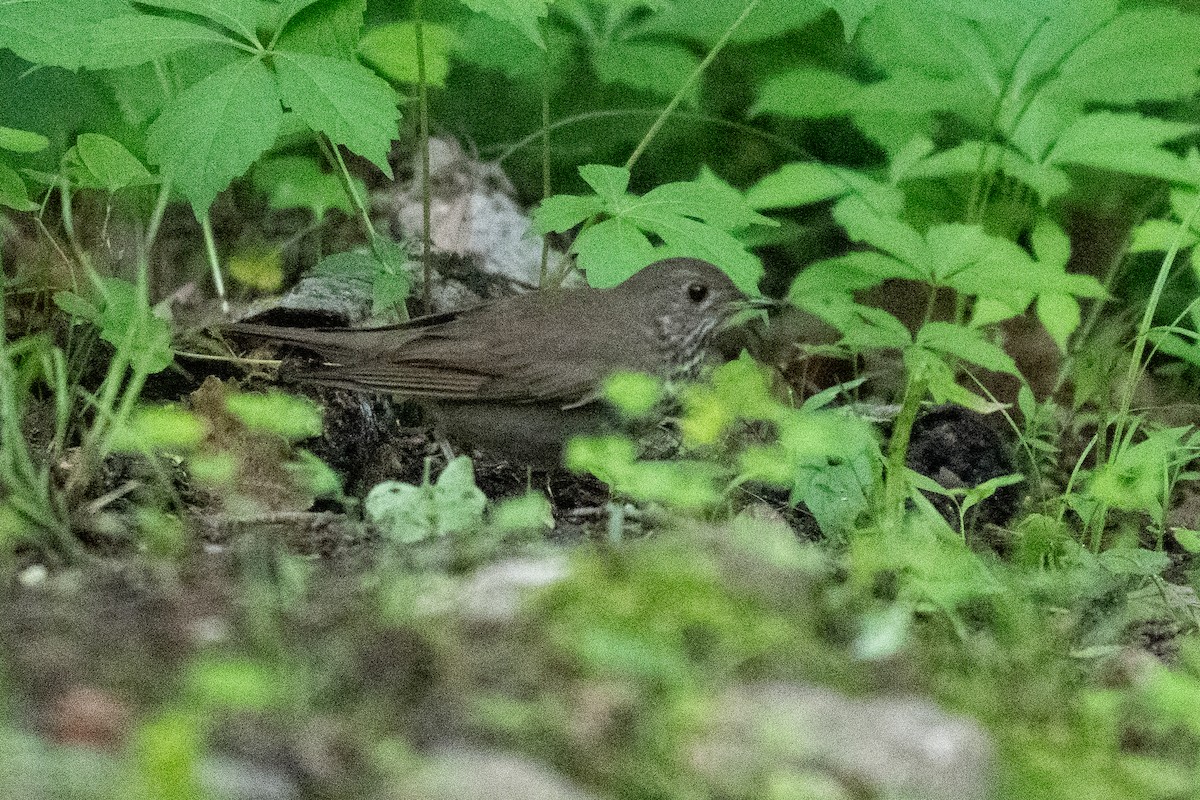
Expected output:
(343, 100)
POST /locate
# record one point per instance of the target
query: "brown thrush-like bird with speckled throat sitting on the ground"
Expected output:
(519, 377)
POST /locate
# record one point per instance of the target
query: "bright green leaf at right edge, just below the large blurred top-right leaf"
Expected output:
(1125, 143)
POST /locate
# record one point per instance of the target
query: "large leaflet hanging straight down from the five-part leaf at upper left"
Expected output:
(214, 131)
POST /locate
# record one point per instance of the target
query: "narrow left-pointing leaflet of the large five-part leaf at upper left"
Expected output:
(130, 40)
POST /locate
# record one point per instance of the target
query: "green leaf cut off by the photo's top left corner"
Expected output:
(53, 33)
